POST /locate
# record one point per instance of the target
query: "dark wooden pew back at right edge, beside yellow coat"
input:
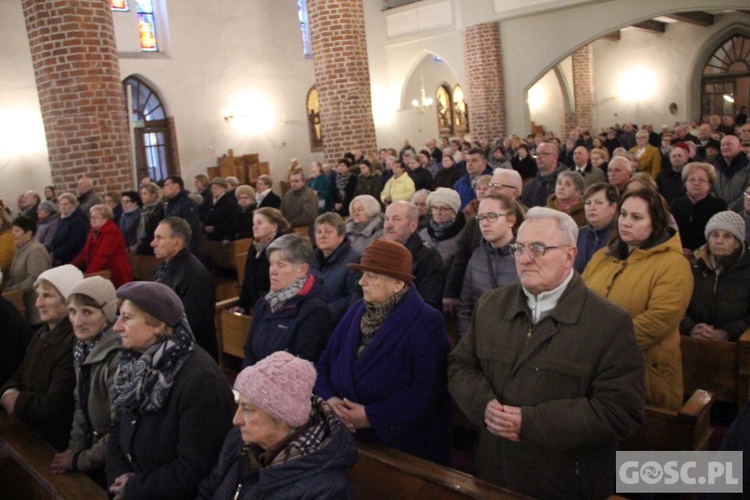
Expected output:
(723, 368)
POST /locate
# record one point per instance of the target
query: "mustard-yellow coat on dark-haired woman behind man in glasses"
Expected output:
(655, 286)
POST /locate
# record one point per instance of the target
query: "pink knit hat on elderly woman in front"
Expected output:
(280, 385)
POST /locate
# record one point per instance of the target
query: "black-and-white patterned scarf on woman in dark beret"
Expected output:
(143, 381)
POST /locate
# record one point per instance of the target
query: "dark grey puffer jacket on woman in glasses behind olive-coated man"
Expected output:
(478, 279)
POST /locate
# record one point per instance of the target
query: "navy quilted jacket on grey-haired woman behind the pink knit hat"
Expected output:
(301, 326)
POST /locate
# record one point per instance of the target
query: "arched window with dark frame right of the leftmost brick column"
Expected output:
(153, 131)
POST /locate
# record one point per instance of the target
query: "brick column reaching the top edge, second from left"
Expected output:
(342, 74)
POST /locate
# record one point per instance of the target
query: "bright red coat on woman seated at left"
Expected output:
(105, 249)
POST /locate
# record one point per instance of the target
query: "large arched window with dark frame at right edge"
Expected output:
(725, 85)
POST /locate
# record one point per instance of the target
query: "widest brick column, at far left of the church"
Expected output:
(78, 80)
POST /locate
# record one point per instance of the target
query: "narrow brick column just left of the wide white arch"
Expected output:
(486, 86)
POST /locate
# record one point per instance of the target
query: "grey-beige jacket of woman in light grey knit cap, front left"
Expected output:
(90, 446)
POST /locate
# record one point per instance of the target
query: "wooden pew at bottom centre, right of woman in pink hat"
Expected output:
(385, 473)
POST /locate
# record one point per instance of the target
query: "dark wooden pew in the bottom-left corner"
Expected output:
(25, 472)
